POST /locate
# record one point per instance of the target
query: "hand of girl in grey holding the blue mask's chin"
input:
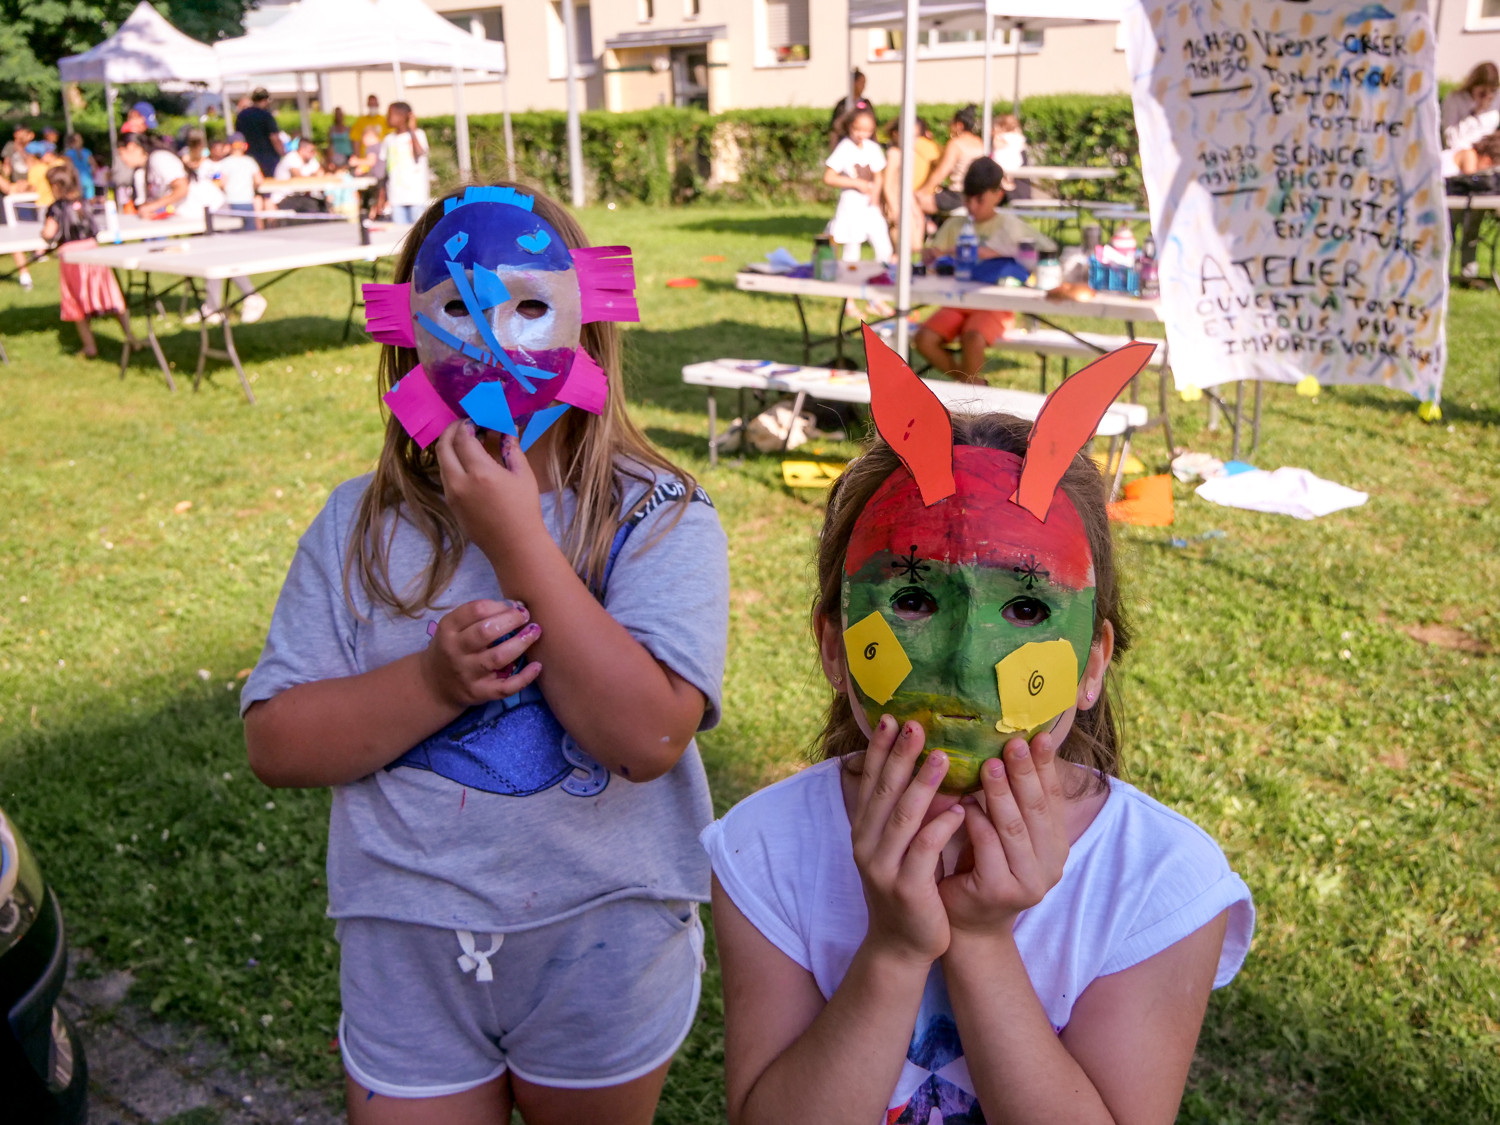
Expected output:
(494, 496)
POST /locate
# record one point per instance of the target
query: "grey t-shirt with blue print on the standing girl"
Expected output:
(500, 823)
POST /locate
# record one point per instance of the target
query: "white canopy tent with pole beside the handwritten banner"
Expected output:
(914, 16)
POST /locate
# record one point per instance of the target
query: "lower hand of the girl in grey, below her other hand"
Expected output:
(460, 665)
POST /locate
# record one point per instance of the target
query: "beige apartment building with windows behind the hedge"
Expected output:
(728, 55)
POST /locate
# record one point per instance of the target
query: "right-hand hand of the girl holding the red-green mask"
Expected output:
(1016, 850)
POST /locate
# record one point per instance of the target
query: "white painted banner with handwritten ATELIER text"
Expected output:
(1291, 152)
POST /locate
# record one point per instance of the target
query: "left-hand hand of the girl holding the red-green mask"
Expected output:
(895, 851)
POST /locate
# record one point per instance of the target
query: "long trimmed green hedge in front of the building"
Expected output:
(668, 157)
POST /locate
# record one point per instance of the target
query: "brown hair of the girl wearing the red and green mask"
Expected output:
(1096, 739)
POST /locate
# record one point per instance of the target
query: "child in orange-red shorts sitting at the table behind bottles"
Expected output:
(1001, 235)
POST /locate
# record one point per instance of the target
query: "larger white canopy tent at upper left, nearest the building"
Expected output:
(359, 35)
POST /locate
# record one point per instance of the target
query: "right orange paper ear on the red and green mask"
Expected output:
(1069, 419)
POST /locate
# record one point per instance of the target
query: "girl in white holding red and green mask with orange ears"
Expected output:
(962, 914)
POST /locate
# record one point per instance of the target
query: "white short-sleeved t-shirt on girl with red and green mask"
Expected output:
(1138, 881)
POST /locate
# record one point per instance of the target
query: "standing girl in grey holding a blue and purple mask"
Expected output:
(497, 650)
